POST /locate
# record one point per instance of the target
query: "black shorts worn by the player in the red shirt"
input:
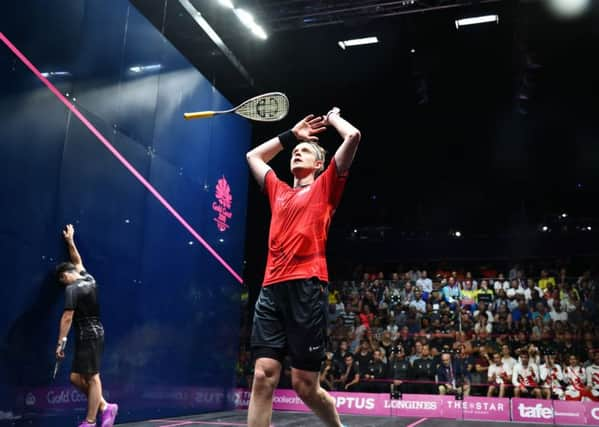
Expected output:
(291, 318)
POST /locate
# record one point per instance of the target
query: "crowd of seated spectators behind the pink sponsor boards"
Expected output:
(493, 335)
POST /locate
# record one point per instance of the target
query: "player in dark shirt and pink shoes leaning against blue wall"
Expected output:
(81, 305)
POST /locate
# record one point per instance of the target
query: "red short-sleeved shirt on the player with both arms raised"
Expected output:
(299, 226)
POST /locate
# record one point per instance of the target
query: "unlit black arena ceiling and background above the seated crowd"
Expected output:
(486, 128)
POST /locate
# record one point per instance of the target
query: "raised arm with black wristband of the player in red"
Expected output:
(305, 130)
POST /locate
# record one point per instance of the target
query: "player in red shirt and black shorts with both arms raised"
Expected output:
(291, 311)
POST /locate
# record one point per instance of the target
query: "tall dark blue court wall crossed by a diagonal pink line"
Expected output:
(170, 309)
